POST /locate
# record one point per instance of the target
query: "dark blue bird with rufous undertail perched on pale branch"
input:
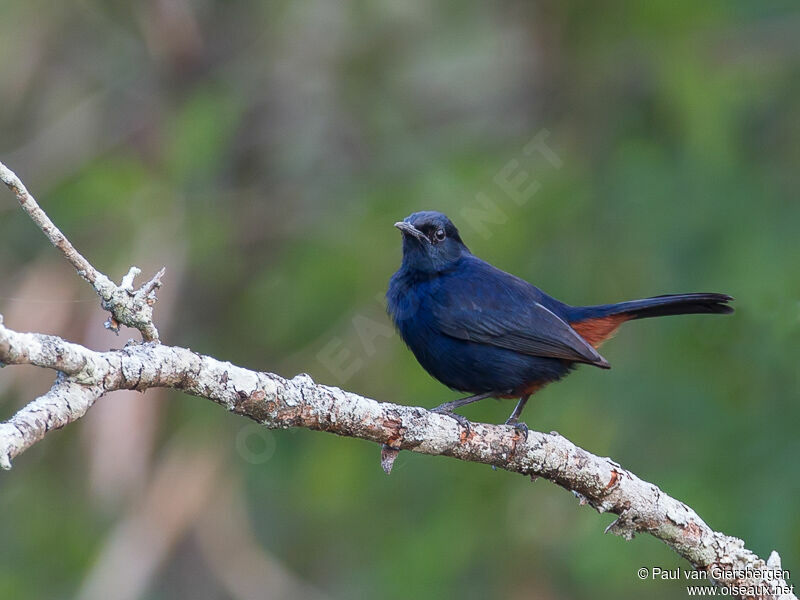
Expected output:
(490, 334)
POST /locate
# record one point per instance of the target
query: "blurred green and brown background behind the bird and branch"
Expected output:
(262, 151)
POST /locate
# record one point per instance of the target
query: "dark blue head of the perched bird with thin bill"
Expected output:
(430, 242)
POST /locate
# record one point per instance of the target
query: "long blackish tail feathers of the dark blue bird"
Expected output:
(660, 306)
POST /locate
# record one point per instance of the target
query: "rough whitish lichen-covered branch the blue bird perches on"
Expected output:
(85, 375)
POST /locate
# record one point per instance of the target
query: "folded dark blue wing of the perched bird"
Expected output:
(489, 306)
